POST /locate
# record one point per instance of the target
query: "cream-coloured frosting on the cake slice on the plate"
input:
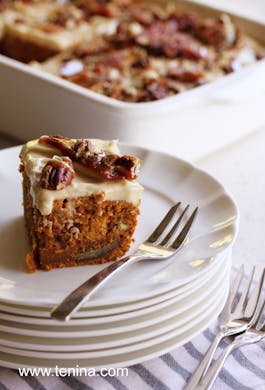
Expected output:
(35, 155)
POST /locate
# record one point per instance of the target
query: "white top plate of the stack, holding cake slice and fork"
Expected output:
(166, 179)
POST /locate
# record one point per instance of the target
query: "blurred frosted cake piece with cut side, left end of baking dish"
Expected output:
(39, 30)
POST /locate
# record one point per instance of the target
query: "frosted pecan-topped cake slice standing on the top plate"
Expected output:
(81, 201)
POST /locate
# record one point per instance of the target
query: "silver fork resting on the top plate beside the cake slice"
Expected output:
(160, 245)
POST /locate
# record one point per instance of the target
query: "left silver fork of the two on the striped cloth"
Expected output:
(231, 321)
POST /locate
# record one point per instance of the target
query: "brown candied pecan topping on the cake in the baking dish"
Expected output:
(109, 63)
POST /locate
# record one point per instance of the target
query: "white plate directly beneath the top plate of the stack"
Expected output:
(192, 296)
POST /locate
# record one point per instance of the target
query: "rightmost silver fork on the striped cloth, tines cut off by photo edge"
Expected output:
(254, 334)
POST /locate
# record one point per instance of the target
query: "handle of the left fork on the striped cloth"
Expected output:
(205, 363)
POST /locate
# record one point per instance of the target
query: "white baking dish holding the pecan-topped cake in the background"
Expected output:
(191, 124)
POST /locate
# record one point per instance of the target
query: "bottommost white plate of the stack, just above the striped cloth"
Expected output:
(120, 360)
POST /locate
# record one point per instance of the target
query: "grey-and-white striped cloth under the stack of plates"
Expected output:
(244, 370)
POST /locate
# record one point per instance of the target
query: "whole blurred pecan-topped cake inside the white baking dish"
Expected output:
(129, 50)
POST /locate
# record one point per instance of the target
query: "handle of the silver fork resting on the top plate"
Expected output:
(65, 310)
